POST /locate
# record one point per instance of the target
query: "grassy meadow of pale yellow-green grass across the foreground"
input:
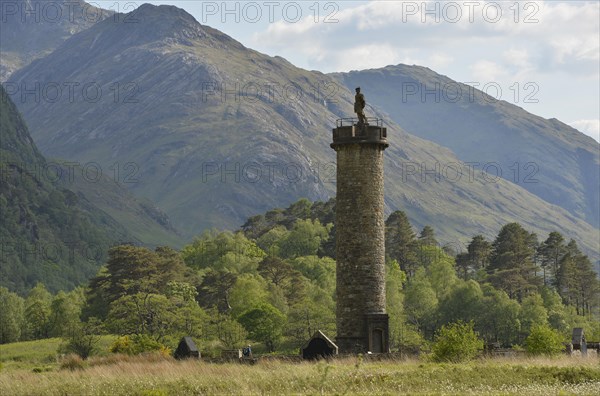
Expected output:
(33, 368)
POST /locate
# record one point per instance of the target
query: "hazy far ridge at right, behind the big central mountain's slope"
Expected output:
(546, 157)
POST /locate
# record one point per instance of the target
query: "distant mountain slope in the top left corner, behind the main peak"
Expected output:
(31, 29)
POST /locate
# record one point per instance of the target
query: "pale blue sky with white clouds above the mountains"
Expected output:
(543, 56)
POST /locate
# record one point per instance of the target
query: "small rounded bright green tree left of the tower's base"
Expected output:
(264, 323)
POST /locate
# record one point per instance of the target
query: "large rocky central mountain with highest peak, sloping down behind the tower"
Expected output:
(219, 132)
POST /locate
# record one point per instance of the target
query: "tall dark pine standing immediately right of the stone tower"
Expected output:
(401, 242)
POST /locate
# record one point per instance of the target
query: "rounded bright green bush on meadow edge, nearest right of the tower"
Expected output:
(456, 342)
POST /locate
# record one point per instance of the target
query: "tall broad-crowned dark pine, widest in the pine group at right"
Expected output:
(511, 264)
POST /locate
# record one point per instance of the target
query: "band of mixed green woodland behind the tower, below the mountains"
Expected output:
(273, 282)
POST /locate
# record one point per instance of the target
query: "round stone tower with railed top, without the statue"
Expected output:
(362, 324)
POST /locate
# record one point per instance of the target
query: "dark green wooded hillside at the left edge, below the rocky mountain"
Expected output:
(57, 219)
